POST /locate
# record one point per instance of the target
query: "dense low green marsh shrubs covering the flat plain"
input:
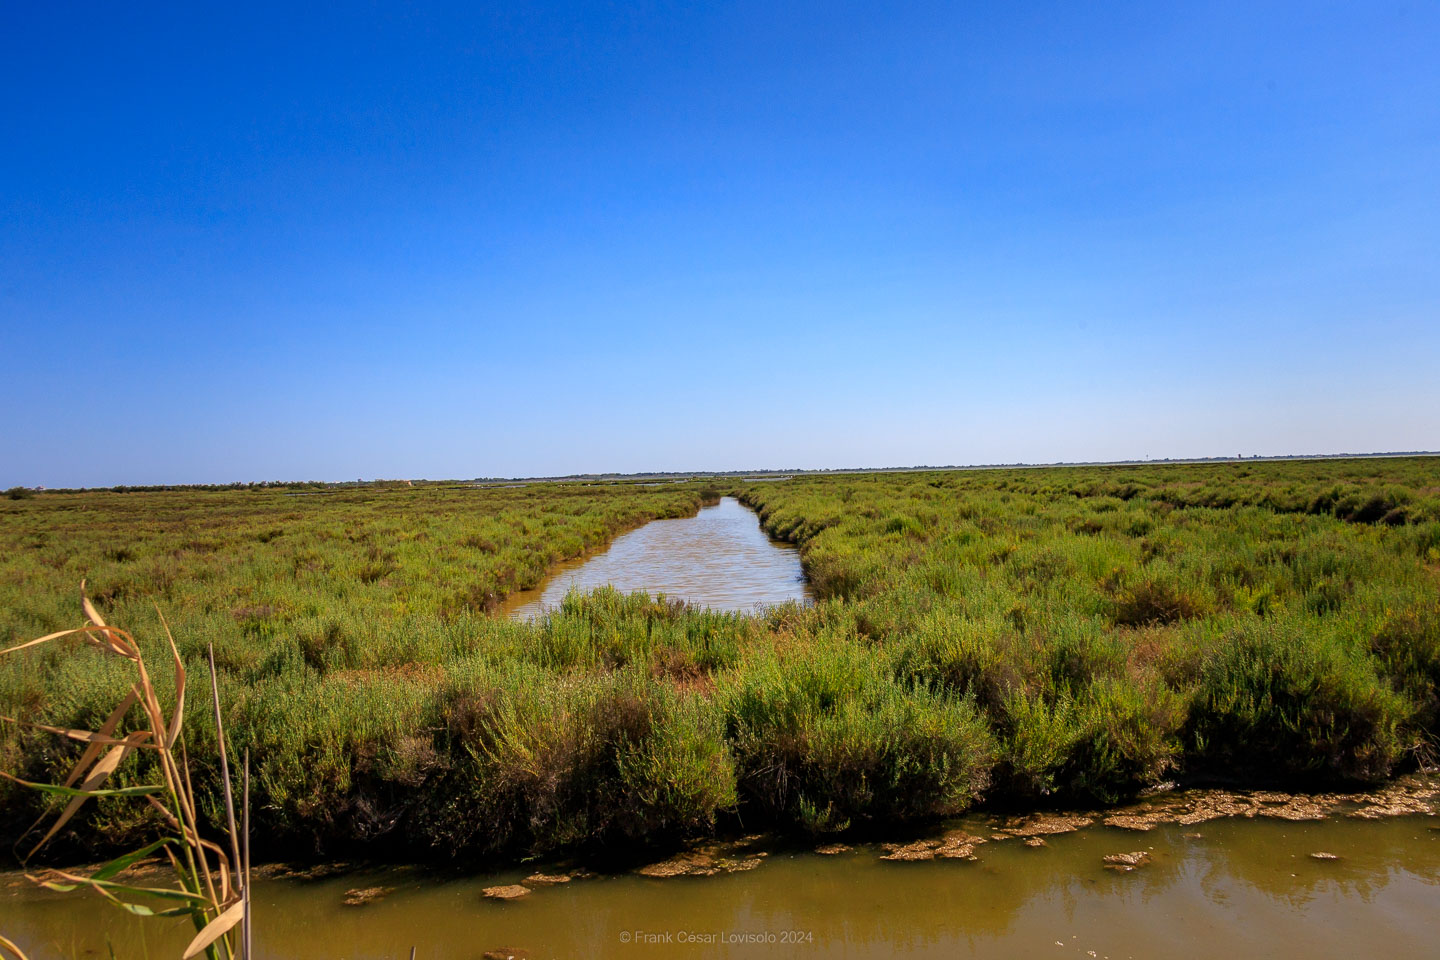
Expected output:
(1014, 637)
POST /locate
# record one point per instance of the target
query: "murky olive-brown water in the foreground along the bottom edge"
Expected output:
(1242, 889)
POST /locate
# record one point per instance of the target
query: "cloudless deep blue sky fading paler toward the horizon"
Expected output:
(525, 240)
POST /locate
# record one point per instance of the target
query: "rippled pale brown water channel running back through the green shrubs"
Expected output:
(718, 559)
